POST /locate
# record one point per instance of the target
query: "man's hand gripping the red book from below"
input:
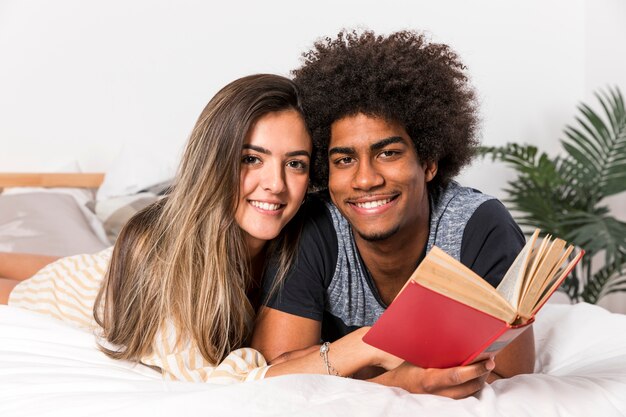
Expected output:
(458, 382)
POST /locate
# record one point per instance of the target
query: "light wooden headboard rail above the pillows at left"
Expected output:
(74, 180)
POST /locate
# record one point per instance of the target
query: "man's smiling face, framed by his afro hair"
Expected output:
(375, 177)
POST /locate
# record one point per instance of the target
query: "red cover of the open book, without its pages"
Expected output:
(431, 330)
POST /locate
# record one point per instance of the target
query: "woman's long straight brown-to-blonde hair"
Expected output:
(190, 265)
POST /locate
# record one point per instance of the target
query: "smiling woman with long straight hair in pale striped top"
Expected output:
(189, 293)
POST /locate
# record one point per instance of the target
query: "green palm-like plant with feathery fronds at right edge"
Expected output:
(565, 195)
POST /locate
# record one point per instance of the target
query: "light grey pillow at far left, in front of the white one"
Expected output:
(45, 223)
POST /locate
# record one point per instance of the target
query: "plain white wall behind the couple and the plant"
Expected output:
(85, 80)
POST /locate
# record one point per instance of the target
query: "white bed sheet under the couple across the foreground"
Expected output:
(48, 368)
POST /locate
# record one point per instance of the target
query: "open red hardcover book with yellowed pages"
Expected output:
(446, 315)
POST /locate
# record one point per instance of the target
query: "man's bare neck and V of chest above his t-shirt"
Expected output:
(392, 261)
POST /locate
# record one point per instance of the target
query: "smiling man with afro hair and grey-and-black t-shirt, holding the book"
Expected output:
(393, 121)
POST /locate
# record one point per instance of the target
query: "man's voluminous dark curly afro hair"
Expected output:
(402, 78)
